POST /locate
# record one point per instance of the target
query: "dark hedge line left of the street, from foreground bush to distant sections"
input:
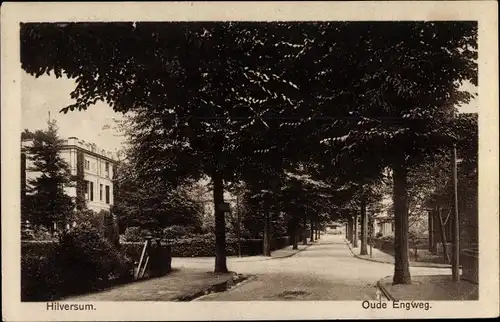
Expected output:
(92, 261)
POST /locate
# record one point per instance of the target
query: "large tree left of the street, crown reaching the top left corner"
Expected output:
(183, 76)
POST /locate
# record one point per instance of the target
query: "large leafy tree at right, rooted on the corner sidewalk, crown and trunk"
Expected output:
(418, 71)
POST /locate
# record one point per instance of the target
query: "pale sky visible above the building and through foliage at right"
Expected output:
(47, 93)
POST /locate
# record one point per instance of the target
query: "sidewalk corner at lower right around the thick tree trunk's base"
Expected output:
(430, 288)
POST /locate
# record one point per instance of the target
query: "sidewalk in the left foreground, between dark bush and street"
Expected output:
(179, 285)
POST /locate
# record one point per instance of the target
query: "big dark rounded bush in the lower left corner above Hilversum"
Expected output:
(82, 261)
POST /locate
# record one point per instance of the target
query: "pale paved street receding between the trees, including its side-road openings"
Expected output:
(324, 271)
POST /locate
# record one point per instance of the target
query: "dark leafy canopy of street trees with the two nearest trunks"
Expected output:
(305, 118)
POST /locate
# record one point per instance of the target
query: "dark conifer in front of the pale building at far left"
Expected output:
(46, 198)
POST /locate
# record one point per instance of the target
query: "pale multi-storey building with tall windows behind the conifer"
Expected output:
(97, 169)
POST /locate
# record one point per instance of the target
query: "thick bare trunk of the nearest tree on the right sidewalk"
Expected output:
(401, 263)
